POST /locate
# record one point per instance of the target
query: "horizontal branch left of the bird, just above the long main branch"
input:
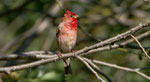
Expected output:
(27, 55)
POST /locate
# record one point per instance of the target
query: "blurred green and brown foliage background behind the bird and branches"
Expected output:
(30, 25)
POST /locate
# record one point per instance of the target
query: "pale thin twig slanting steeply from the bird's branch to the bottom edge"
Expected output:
(92, 70)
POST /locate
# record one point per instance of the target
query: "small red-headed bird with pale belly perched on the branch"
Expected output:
(66, 34)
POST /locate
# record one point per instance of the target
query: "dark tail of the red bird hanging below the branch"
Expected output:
(67, 66)
